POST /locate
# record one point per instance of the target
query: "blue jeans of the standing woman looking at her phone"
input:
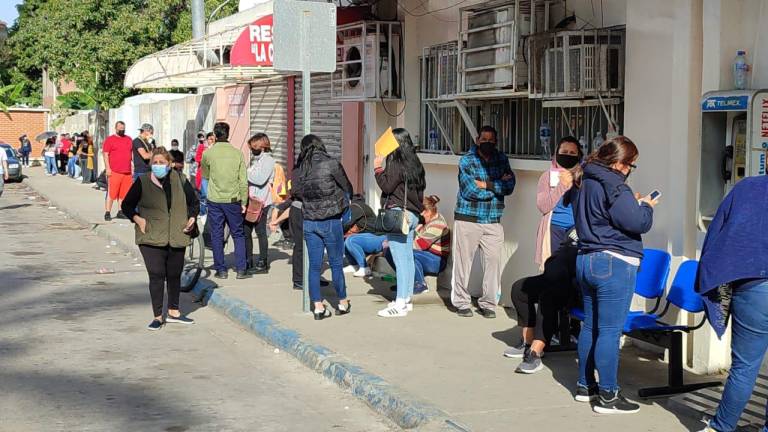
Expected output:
(607, 284)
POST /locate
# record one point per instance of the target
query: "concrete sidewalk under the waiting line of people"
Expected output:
(452, 363)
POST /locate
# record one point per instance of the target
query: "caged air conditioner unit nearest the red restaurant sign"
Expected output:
(369, 63)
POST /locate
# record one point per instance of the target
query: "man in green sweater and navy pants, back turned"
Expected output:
(224, 168)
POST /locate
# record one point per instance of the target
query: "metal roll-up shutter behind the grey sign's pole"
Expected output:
(326, 115)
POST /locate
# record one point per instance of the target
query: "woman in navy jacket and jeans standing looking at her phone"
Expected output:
(610, 220)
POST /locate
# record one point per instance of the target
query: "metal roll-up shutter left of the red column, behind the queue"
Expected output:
(269, 108)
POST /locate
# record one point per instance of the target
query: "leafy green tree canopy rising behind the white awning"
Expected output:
(93, 42)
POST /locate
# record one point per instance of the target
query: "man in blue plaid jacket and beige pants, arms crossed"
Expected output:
(485, 179)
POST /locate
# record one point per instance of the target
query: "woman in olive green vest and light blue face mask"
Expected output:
(163, 206)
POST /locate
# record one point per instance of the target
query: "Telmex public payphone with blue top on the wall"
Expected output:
(734, 141)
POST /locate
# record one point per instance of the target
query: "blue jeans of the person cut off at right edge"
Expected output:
(749, 341)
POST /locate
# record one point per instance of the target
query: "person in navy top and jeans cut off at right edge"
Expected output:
(733, 279)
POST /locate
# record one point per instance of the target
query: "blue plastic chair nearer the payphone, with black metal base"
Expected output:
(649, 328)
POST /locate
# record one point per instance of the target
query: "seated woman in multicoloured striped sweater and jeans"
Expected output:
(431, 245)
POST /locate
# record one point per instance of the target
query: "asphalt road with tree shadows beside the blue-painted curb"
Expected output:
(75, 354)
